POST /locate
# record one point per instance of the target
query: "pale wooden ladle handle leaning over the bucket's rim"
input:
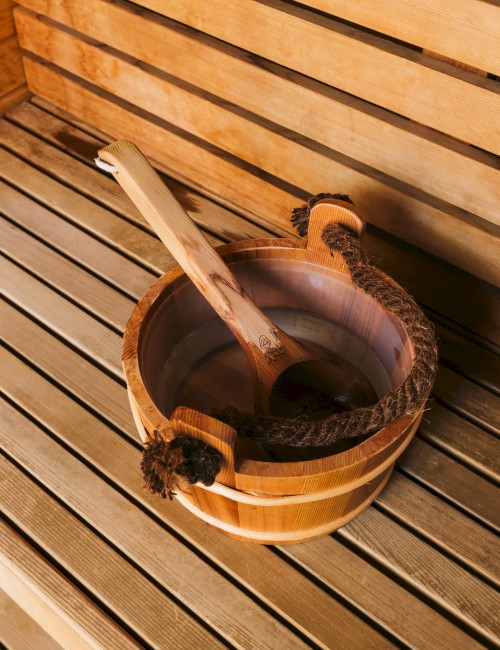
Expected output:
(187, 244)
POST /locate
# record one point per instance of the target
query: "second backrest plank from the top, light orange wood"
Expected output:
(335, 54)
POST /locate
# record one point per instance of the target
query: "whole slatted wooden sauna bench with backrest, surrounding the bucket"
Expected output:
(248, 108)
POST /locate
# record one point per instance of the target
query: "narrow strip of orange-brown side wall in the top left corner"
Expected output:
(13, 87)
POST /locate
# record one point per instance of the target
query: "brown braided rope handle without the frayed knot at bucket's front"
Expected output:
(407, 399)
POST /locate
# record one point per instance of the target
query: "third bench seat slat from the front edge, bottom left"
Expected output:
(229, 611)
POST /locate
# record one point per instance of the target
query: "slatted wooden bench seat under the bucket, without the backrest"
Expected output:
(71, 482)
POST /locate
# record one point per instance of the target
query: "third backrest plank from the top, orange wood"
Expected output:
(374, 137)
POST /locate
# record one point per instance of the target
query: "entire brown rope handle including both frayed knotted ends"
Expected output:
(163, 462)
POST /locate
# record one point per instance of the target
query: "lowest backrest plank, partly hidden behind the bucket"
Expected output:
(479, 312)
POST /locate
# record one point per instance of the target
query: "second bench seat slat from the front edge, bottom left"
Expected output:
(109, 577)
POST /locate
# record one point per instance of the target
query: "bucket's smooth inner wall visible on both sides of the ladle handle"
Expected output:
(189, 357)
